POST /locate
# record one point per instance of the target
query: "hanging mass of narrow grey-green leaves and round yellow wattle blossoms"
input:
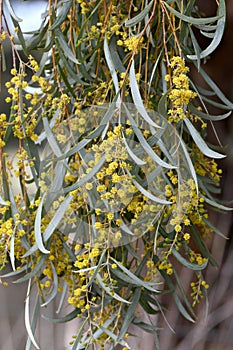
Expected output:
(114, 176)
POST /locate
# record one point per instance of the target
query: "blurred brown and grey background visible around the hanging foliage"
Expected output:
(211, 332)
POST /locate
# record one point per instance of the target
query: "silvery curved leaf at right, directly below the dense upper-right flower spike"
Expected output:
(201, 143)
